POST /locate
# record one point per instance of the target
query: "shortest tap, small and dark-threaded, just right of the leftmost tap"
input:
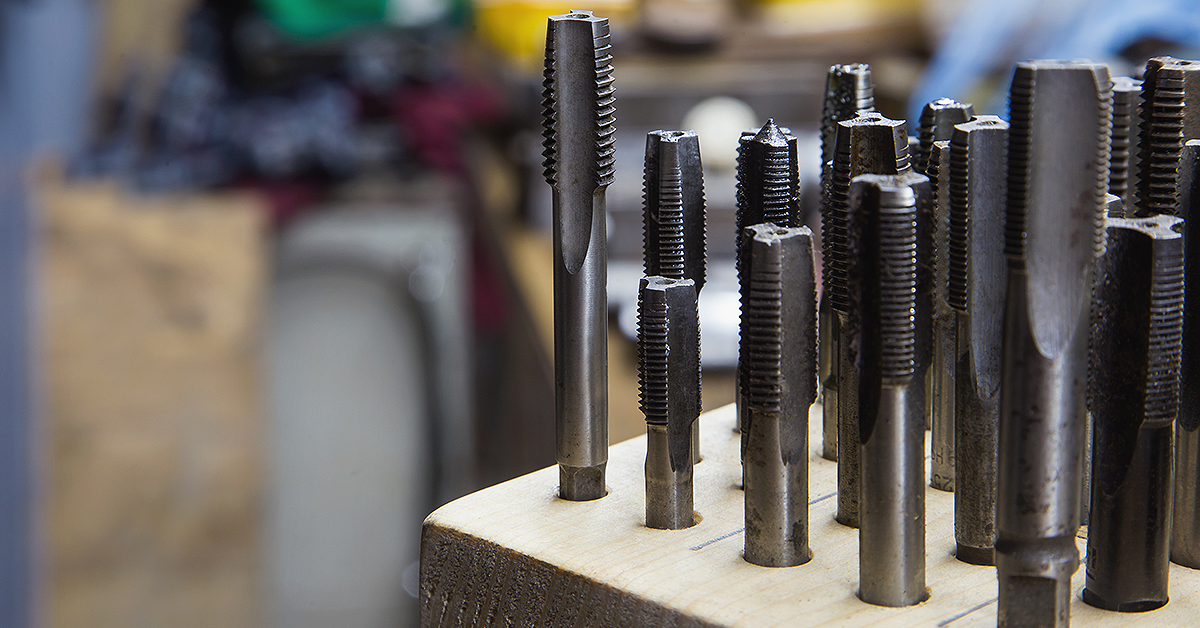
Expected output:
(669, 382)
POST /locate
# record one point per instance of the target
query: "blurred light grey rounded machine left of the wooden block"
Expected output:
(371, 409)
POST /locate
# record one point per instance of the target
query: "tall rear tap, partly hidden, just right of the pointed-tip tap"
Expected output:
(849, 91)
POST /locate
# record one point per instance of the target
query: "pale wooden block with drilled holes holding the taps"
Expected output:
(518, 555)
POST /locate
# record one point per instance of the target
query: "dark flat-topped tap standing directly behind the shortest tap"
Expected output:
(674, 230)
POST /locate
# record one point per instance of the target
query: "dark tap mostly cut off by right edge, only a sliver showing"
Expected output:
(1186, 530)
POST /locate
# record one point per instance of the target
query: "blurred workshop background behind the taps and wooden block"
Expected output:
(275, 276)
